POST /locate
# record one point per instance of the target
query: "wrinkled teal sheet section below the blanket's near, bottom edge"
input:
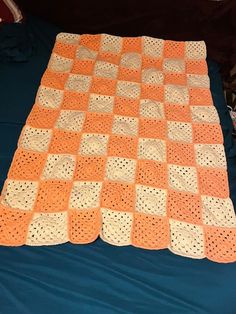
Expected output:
(100, 278)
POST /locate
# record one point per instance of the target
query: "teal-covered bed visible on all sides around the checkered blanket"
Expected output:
(100, 278)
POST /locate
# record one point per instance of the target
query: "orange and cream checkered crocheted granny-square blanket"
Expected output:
(124, 143)
